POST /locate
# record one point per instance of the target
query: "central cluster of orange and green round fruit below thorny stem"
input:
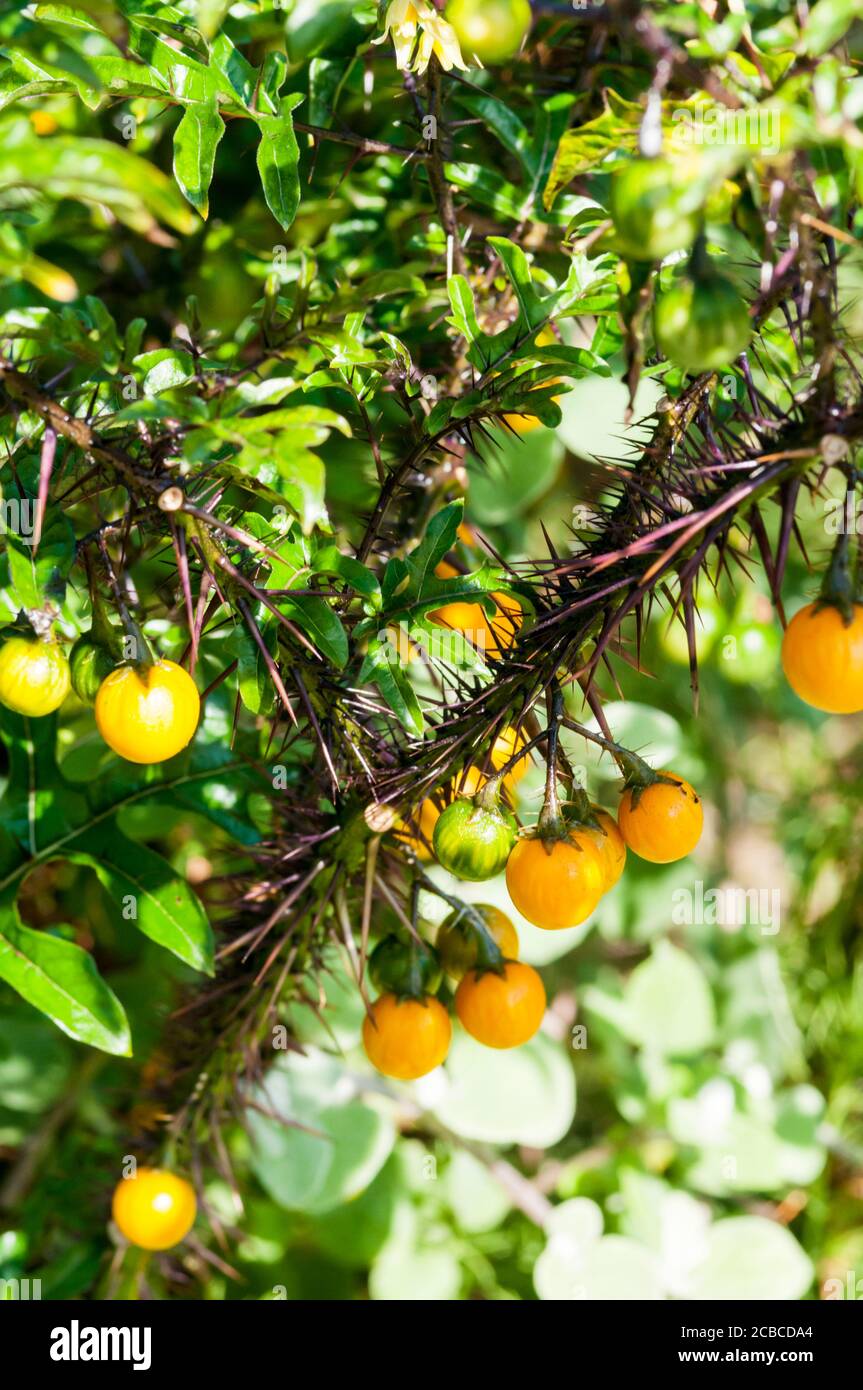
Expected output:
(555, 875)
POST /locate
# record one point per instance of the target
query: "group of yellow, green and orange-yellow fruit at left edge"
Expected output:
(145, 711)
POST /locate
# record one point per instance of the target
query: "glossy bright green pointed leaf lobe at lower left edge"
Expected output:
(62, 981)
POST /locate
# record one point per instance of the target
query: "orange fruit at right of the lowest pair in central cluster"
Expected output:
(501, 1010)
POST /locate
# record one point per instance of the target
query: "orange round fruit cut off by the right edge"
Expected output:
(823, 658)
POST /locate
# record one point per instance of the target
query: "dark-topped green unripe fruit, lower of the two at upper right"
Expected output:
(702, 323)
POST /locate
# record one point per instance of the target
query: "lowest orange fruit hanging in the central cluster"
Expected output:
(406, 1039)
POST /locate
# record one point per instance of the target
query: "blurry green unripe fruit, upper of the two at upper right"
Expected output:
(655, 211)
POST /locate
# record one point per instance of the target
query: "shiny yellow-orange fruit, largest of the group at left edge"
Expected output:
(148, 714)
